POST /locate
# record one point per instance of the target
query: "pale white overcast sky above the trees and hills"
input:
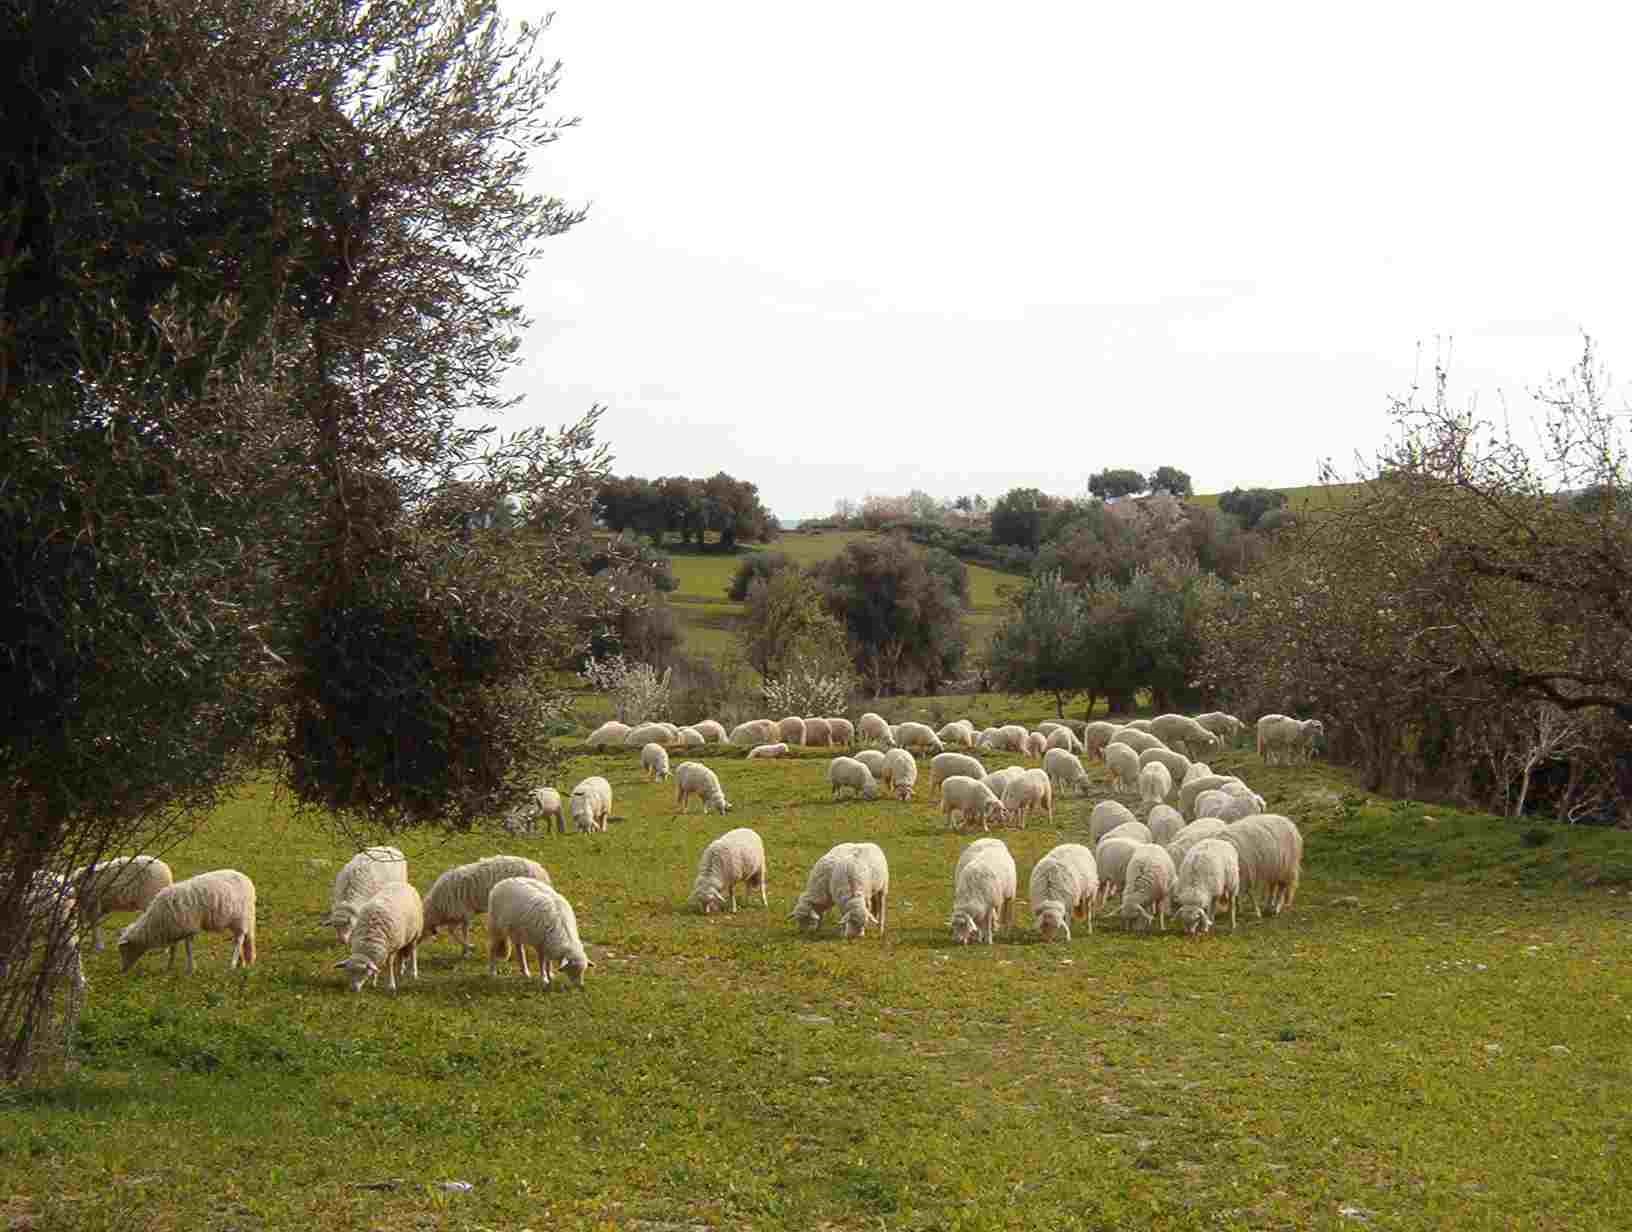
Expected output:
(858, 249)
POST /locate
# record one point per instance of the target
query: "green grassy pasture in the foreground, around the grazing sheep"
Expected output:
(1434, 1037)
